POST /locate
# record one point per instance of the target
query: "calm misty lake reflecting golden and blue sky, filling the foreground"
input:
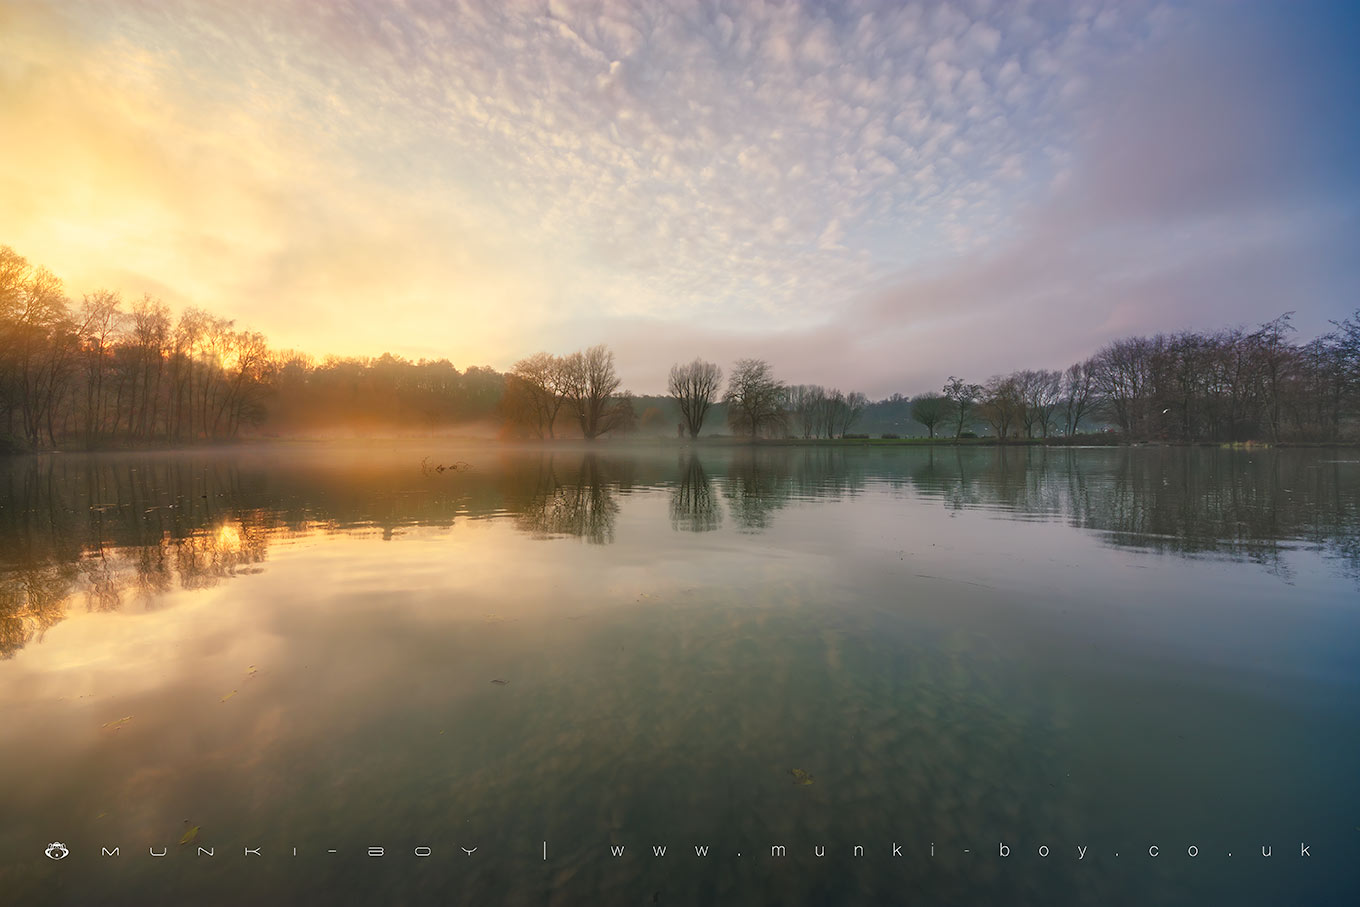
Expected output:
(549, 655)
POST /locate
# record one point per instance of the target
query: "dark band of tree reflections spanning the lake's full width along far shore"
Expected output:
(111, 532)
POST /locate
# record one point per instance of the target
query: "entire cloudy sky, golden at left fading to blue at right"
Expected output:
(870, 195)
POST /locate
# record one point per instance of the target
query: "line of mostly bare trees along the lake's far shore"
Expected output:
(107, 373)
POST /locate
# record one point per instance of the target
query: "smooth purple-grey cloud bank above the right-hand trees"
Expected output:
(1214, 183)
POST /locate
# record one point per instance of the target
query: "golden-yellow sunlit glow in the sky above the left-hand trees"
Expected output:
(131, 177)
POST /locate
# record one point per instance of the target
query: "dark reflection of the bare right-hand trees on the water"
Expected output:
(1233, 504)
